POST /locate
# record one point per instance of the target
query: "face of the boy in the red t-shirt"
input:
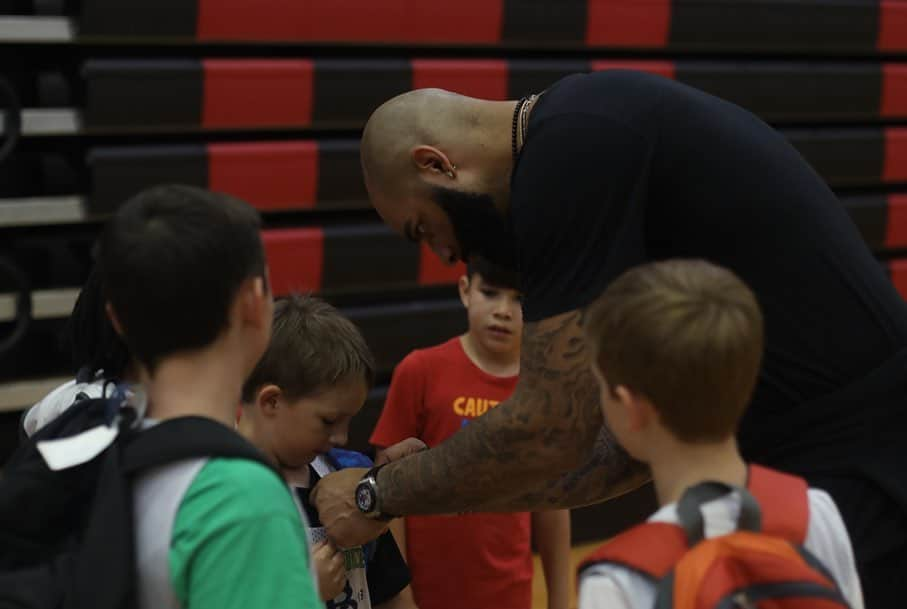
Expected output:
(495, 314)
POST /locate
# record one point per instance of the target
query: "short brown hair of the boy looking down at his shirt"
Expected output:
(313, 346)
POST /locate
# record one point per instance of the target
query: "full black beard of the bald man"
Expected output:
(480, 229)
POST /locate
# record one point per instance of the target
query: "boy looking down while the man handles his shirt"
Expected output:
(296, 407)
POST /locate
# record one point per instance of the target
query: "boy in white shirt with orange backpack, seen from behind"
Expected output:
(676, 348)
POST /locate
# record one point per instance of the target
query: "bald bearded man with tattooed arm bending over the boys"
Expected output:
(597, 174)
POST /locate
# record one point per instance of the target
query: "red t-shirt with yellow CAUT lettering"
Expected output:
(479, 561)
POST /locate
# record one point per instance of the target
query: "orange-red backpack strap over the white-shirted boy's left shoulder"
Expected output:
(651, 549)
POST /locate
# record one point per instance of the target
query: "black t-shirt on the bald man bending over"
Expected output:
(620, 168)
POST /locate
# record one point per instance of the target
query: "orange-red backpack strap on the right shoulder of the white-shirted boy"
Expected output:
(783, 500)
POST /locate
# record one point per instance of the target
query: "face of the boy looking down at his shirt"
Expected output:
(305, 428)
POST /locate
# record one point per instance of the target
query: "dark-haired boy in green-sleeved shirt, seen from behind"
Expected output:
(183, 272)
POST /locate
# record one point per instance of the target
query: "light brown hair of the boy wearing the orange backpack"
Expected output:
(687, 335)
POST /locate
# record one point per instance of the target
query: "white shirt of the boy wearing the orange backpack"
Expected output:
(609, 586)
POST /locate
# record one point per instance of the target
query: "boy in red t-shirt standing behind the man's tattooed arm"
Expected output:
(480, 560)
